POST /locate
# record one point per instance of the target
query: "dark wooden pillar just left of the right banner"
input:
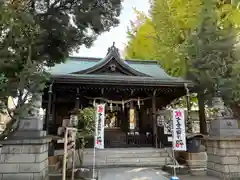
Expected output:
(155, 129)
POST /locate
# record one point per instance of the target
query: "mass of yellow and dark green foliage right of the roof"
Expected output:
(195, 39)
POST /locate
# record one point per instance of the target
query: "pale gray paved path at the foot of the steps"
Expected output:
(132, 174)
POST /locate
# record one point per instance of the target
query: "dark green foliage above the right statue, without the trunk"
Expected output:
(211, 51)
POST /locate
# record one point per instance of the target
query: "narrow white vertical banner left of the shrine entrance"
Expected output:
(99, 126)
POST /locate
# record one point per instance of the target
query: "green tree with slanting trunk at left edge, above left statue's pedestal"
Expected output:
(22, 74)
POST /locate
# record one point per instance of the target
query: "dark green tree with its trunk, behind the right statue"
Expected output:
(210, 53)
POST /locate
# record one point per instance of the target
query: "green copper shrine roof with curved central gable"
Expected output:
(95, 68)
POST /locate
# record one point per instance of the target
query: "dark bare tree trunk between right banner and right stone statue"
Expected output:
(201, 112)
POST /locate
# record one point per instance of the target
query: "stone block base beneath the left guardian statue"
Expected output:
(24, 160)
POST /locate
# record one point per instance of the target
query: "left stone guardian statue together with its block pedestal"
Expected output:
(24, 156)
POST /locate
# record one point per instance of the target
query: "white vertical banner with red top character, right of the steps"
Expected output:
(179, 134)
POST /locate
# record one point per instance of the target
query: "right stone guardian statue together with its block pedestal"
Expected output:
(223, 144)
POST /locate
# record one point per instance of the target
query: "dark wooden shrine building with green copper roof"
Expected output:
(134, 92)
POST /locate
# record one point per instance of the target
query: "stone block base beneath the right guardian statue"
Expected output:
(223, 157)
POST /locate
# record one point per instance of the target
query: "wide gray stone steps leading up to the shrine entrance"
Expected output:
(131, 157)
